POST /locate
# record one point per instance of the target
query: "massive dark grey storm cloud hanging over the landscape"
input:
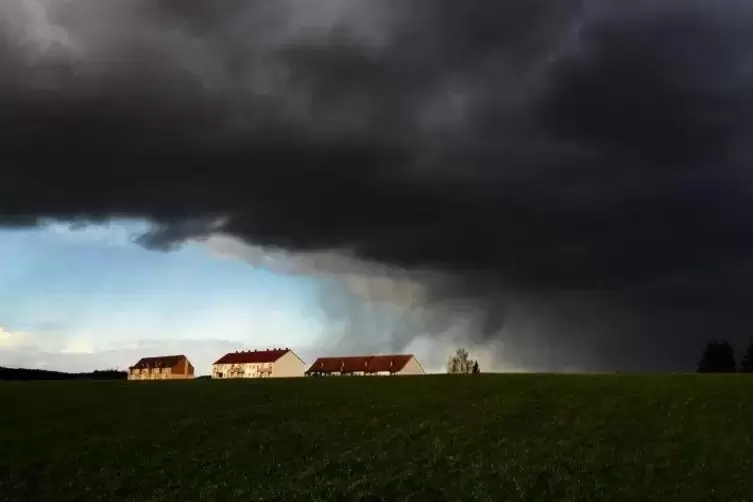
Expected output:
(585, 160)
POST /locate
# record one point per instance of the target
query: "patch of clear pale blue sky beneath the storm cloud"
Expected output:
(77, 299)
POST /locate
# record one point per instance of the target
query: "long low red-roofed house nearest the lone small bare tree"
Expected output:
(405, 364)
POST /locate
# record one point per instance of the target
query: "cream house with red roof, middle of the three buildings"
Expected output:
(272, 363)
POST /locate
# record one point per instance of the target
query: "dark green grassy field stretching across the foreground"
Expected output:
(434, 438)
